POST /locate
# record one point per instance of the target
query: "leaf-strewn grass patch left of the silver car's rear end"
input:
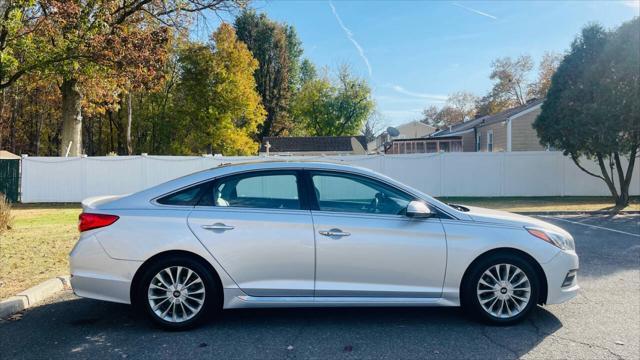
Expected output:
(37, 247)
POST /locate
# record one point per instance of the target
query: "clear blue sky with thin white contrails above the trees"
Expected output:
(414, 53)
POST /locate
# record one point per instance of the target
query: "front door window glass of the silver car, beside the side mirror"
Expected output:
(355, 194)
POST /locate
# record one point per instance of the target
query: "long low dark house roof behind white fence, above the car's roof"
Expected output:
(313, 143)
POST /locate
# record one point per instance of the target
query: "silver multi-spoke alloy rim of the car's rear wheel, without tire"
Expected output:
(176, 294)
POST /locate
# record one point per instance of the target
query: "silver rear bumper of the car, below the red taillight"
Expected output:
(95, 275)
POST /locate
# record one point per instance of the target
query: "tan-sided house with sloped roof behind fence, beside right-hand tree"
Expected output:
(508, 130)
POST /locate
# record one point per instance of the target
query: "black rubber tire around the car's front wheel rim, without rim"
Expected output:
(469, 291)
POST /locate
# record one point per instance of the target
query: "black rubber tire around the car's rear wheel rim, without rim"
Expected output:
(212, 292)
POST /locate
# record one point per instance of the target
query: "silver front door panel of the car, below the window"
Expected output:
(381, 256)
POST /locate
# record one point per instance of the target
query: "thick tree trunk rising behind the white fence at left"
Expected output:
(71, 118)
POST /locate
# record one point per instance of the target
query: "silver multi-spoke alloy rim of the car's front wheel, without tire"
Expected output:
(504, 290)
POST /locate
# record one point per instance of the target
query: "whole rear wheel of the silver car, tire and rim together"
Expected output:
(178, 293)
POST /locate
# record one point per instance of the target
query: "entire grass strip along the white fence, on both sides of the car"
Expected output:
(37, 247)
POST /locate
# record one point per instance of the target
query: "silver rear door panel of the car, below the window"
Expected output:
(266, 252)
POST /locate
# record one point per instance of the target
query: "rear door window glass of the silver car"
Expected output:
(273, 190)
